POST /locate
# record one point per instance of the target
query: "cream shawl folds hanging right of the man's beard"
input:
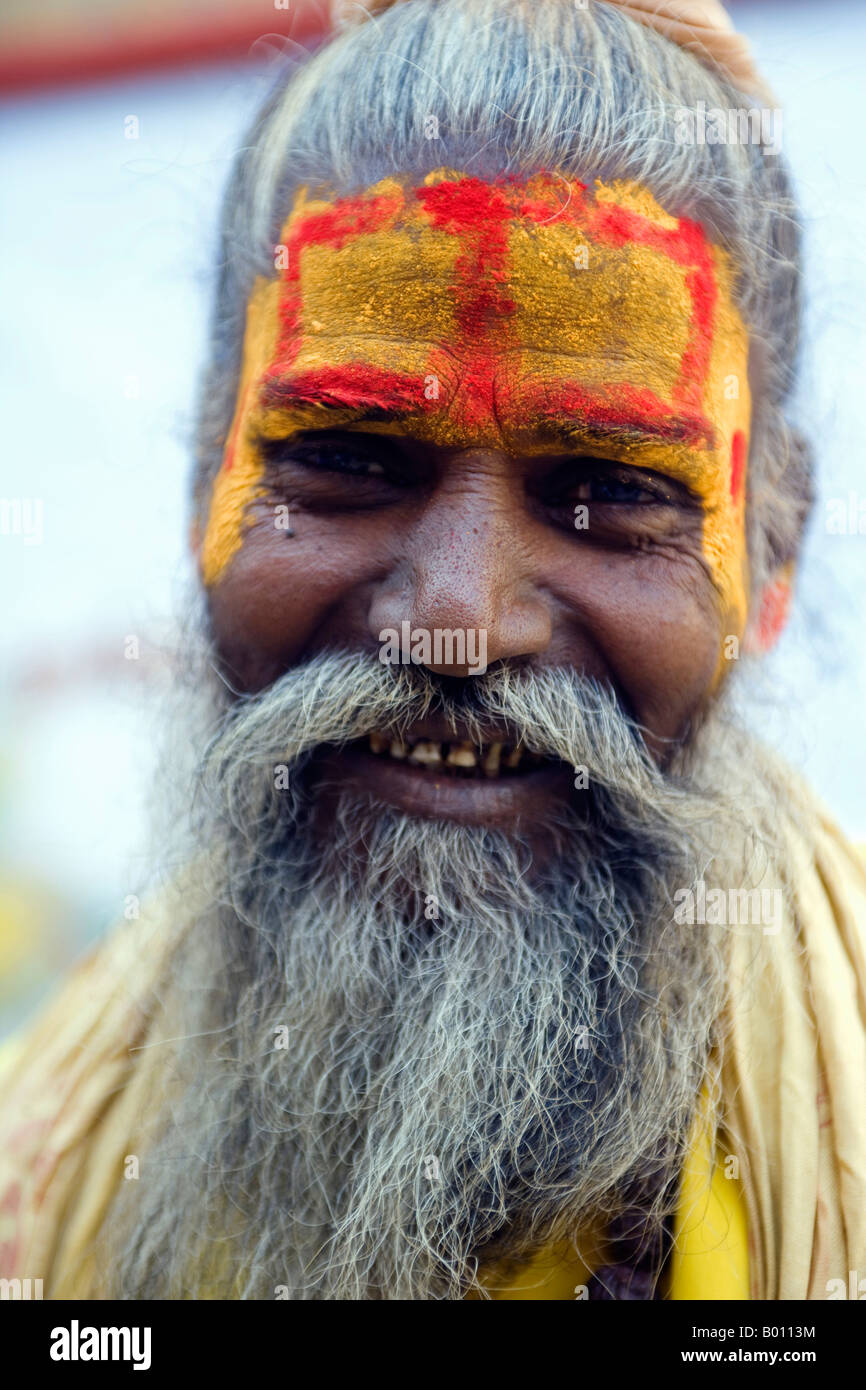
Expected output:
(794, 1081)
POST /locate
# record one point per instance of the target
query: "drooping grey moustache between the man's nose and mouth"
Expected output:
(340, 697)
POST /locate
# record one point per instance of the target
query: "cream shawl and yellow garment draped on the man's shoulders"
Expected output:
(79, 1085)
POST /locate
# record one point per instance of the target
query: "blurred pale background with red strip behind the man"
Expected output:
(117, 129)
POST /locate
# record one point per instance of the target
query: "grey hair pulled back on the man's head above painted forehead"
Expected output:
(518, 88)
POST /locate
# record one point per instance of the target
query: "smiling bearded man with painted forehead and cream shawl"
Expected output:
(497, 960)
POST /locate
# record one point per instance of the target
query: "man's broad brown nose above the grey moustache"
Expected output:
(465, 590)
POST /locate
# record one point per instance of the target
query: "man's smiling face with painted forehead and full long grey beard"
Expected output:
(436, 389)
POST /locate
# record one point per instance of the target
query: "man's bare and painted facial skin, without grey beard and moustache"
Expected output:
(515, 409)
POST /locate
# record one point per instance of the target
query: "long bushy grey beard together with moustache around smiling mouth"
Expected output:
(402, 1061)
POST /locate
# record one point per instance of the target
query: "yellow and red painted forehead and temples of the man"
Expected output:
(507, 313)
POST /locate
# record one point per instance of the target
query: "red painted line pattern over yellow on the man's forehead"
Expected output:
(479, 213)
